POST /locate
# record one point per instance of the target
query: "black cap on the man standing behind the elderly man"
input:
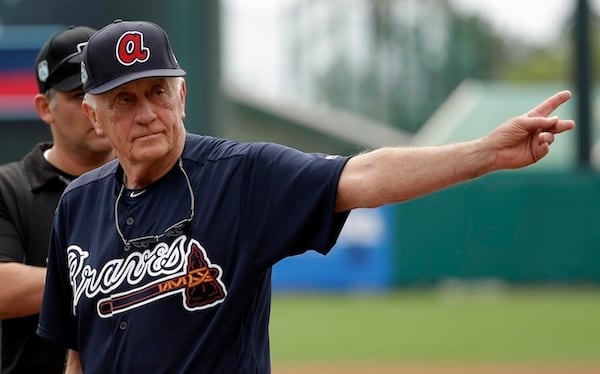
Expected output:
(58, 62)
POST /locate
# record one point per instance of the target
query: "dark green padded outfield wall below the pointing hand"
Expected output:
(512, 226)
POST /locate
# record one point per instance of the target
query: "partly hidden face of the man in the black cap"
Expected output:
(70, 126)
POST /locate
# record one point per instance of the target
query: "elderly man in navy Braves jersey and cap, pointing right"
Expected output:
(161, 261)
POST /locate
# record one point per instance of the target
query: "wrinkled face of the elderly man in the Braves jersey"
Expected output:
(143, 119)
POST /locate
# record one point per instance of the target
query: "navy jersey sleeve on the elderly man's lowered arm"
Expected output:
(57, 320)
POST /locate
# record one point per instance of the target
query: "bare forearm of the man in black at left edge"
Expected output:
(21, 289)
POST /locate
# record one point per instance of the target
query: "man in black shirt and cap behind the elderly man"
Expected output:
(29, 192)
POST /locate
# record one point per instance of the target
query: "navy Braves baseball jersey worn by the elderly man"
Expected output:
(176, 277)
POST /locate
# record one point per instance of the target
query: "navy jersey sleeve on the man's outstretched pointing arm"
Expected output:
(290, 200)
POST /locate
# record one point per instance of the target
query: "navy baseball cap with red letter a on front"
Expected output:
(124, 51)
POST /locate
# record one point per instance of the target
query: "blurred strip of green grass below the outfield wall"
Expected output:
(517, 326)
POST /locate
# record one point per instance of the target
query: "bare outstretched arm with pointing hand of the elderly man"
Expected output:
(390, 175)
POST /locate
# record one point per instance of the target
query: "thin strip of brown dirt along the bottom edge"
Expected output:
(454, 369)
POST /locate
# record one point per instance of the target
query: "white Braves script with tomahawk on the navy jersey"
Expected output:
(181, 267)
